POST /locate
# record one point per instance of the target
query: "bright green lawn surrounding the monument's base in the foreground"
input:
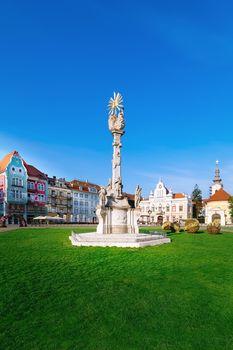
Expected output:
(55, 296)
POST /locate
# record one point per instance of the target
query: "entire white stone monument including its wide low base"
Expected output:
(118, 220)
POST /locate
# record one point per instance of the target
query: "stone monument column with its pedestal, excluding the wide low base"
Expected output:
(114, 211)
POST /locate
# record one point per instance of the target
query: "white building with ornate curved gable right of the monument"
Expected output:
(164, 205)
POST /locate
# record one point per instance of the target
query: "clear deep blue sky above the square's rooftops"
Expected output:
(60, 62)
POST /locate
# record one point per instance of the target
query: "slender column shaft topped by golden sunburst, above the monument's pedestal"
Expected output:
(116, 124)
